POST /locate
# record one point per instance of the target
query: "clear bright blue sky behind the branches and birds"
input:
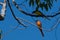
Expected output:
(32, 32)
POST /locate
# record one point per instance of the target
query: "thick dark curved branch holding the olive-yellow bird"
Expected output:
(33, 15)
